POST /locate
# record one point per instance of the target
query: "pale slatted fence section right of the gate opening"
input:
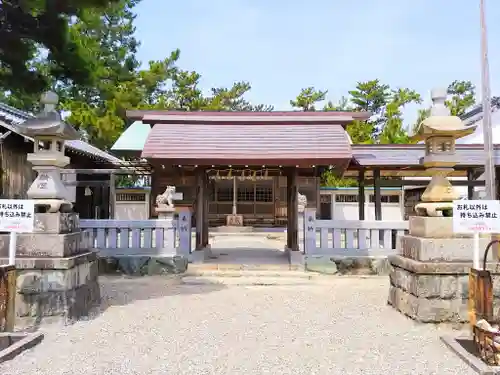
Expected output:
(353, 237)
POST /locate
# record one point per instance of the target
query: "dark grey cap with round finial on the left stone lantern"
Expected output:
(49, 122)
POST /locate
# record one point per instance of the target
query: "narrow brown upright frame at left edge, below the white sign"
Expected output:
(7, 298)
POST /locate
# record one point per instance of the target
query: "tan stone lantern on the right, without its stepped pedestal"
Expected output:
(439, 132)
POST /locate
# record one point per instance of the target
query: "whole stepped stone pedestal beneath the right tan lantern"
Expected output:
(429, 277)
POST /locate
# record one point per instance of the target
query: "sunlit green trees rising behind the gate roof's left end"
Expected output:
(98, 109)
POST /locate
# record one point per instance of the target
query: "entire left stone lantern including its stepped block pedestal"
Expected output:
(57, 268)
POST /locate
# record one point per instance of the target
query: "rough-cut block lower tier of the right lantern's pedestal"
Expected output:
(433, 292)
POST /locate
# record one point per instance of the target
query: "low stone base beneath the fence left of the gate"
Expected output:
(143, 265)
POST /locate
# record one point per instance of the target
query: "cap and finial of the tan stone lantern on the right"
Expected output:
(441, 122)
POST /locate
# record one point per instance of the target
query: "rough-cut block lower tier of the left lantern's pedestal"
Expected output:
(56, 289)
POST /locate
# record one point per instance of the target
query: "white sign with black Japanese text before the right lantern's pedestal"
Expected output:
(476, 216)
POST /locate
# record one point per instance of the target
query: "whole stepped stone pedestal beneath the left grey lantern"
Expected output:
(57, 276)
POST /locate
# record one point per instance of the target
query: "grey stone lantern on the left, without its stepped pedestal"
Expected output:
(49, 132)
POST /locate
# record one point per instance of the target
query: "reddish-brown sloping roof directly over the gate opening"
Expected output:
(248, 144)
